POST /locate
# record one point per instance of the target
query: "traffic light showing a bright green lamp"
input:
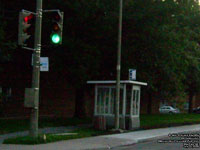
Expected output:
(57, 27)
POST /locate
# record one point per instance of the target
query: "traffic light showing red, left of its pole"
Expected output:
(26, 29)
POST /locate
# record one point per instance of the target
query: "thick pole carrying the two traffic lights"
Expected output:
(36, 71)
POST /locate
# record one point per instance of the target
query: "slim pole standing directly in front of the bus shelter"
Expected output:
(118, 66)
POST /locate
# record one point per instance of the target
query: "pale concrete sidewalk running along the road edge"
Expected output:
(107, 141)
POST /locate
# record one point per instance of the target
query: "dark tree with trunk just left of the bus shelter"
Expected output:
(90, 40)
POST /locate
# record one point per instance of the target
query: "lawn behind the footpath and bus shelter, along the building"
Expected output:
(147, 122)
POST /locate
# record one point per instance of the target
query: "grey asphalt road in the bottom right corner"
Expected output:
(167, 145)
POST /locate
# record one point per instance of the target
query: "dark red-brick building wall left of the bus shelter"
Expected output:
(57, 97)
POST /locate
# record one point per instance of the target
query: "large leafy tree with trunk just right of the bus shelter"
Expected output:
(157, 43)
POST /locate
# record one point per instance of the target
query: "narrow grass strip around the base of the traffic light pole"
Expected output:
(82, 133)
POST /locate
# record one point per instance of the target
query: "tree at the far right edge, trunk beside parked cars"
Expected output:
(189, 20)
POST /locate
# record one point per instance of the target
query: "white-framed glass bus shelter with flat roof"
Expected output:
(104, 105)
